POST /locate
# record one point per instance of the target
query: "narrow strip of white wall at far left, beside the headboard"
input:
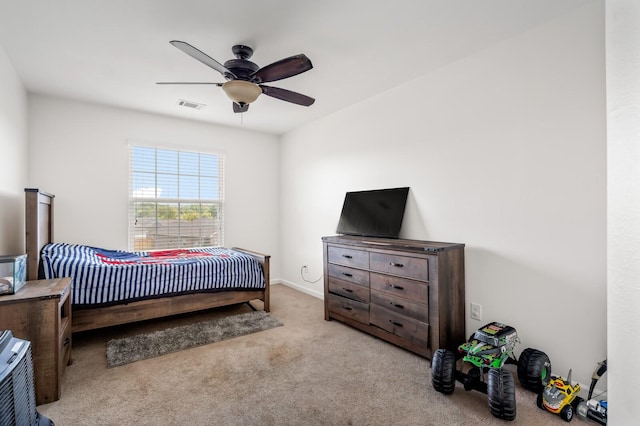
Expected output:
(13, 158)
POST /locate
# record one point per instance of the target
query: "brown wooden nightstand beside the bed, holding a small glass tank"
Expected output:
(41, 313)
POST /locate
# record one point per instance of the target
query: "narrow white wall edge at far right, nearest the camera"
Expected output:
(623, 132)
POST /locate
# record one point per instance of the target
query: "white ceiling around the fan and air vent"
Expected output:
(114, 51)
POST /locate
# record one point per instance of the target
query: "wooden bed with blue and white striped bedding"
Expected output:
(113, 287)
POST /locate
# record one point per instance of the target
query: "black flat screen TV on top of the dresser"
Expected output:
(375, 213)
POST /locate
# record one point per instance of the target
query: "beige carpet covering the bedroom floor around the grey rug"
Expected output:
(308, 372)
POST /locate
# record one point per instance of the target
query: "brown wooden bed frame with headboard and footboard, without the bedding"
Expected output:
(39, 232)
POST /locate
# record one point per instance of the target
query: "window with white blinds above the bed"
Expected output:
(175, 199)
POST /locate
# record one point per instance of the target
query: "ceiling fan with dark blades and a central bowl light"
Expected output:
(245, 78)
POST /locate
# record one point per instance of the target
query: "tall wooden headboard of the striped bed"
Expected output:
(38, 227)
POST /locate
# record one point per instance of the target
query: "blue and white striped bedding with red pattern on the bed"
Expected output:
(102, 277)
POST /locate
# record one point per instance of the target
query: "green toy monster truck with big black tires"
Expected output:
(483, 356)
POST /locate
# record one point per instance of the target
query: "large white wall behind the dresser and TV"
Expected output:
(504, 151)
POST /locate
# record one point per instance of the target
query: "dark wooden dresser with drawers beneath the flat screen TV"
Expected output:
(407, 292)
